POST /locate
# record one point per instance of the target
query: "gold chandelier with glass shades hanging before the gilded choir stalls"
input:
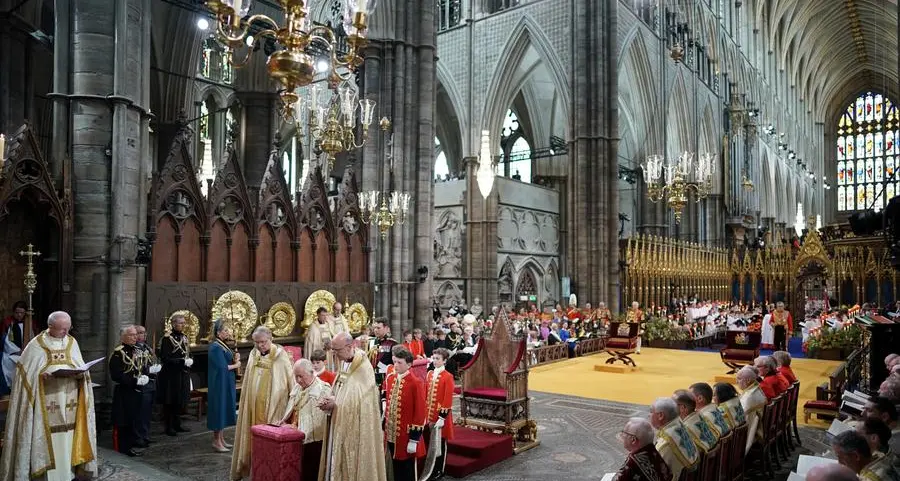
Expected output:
(675, 185)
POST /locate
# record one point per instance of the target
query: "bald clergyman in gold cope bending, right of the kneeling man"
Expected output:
(354, 419)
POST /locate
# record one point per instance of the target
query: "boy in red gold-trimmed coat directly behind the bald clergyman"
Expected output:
(404, 416)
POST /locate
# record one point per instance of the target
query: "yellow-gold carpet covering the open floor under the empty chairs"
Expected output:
(659, 373)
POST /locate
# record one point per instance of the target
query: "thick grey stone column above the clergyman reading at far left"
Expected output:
(108, 117)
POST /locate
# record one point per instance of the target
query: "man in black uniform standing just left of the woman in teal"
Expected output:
(173, 385)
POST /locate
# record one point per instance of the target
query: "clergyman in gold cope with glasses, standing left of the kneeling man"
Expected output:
(264, 394)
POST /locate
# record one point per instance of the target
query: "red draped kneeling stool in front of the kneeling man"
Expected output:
(275, 453)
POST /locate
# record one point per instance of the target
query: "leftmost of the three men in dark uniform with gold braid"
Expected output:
(128, 370)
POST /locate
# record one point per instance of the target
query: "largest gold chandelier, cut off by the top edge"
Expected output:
(294, 66)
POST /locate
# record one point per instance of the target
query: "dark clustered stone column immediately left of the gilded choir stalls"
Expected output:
(592, 243)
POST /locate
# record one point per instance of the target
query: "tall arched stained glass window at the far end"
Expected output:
(867, 153)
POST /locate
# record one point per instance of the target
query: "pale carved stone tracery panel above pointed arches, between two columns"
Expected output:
(527, 231)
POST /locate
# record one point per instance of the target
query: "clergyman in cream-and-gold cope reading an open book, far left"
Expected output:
(50, 426)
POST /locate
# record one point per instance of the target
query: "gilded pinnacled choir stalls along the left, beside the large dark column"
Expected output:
(657, 267)
